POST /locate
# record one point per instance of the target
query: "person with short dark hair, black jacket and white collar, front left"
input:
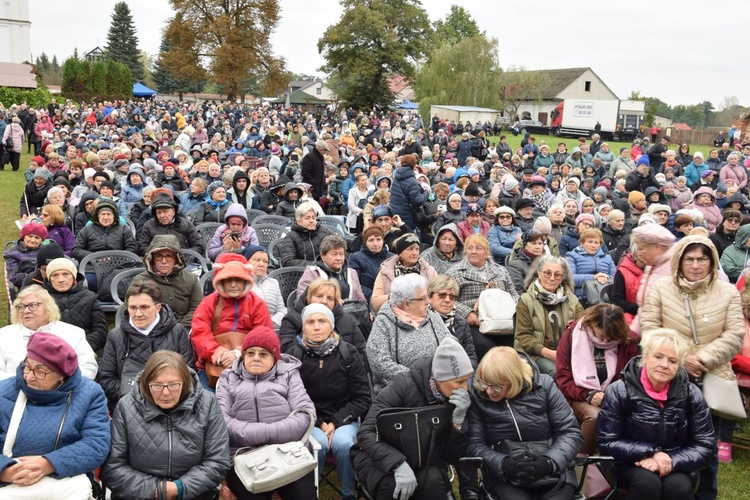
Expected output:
(147, 326)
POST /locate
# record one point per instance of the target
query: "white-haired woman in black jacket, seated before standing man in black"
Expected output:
(302, 245)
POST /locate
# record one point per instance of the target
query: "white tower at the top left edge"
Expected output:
(15, 31)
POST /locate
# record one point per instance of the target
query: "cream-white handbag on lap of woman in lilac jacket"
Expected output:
(272, 466)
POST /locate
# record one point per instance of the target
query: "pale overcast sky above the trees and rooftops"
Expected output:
(677, 52)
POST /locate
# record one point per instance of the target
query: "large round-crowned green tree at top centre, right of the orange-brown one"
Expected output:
(374, 40)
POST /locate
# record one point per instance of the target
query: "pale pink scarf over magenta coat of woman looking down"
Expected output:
(582, 362)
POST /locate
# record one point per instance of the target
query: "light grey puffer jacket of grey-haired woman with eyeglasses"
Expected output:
(394, 345)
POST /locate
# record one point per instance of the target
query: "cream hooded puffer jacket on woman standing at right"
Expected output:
(715, 306)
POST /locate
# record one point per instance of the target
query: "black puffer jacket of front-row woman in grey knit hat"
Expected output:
(373, 458)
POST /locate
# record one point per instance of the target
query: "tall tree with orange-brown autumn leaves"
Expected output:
(231, 38)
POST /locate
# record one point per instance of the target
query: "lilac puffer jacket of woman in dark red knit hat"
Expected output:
(257, 408)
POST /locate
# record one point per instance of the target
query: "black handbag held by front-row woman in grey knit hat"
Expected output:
(414, 431)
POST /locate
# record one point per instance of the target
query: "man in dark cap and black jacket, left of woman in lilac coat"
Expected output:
(166, 220)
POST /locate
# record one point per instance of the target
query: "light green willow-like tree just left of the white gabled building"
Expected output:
(452, 78)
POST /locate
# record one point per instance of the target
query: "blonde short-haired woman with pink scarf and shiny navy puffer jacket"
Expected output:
(656, 461)
